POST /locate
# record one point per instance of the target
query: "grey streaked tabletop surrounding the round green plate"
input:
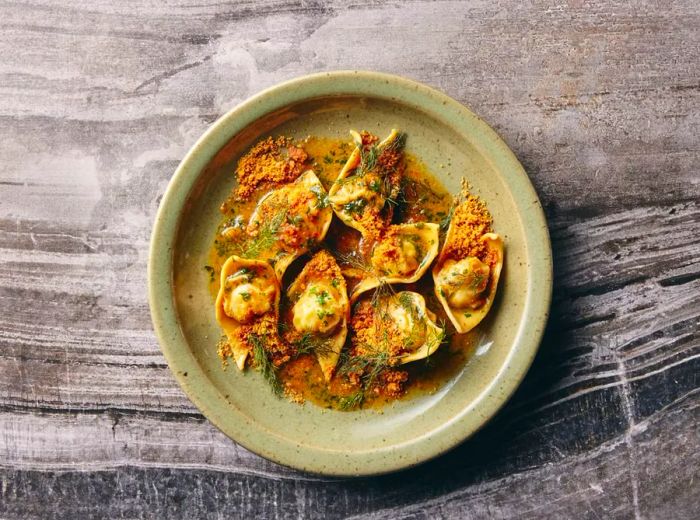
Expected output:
(99, 102)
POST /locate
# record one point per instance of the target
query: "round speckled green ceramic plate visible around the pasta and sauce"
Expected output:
(453, 142)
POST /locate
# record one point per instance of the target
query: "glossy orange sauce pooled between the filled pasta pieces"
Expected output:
(424, 200)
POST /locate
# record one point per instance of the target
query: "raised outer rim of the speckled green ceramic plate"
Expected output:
(188, 372)
